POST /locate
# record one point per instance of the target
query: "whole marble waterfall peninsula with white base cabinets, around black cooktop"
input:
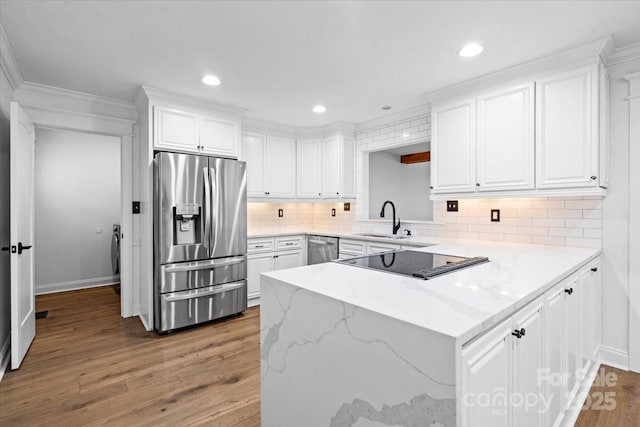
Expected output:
(343, 346)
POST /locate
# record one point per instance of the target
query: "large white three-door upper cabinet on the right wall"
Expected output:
(539, 137)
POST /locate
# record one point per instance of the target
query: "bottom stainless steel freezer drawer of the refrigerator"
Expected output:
(180, 309)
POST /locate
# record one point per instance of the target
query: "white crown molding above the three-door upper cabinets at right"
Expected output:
(584, 54)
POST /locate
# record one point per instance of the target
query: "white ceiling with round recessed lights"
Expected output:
(278, 59)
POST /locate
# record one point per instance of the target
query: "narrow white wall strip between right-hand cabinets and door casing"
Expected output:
(615, 209)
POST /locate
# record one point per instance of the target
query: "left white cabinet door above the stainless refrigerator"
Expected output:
(175, 130)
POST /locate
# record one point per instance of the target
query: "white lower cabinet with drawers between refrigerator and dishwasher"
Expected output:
(267, 254)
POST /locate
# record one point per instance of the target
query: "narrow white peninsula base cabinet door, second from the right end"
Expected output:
(573, 363)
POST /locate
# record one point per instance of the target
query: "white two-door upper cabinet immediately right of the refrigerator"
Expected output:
(271, 165)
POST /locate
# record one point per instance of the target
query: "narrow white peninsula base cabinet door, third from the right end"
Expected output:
(554, 343)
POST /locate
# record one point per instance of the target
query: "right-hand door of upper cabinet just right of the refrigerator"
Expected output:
(280, 171)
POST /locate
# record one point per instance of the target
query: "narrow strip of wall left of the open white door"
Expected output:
(6, 96)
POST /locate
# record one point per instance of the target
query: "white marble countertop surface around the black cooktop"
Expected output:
(461, 304)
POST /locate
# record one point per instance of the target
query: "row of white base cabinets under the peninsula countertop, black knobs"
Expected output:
(528, 370)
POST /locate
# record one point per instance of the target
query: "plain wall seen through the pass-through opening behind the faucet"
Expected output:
(407, 186)
